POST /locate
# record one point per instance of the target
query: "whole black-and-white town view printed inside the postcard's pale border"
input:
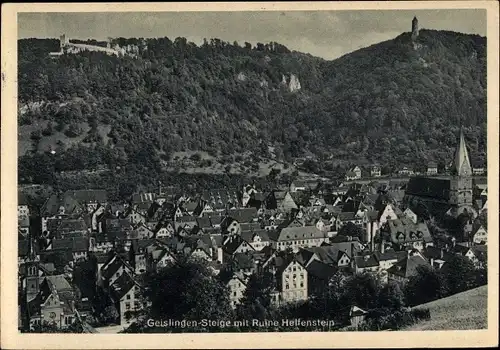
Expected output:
(183, 172)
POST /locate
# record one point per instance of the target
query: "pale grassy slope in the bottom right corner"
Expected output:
(462, 311)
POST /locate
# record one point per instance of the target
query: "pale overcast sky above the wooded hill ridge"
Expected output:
(327, 34)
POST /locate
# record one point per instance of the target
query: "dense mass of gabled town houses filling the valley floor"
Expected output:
(294, 232)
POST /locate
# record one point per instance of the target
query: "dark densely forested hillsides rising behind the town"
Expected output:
(395, 103)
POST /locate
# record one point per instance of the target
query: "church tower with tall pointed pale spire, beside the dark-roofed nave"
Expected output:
(461, 182)
